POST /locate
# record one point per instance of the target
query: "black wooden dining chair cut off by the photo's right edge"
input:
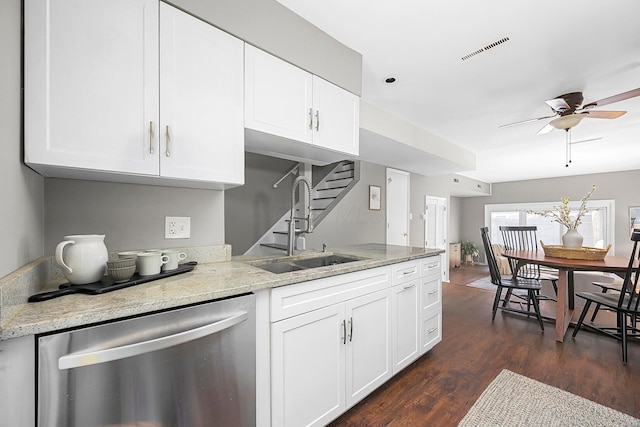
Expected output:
(625, 303)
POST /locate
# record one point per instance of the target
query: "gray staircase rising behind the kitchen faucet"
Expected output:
(324, 197)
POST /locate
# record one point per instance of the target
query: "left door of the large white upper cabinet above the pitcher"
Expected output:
(91, 84)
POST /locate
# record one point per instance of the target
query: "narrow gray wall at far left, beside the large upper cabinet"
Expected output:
(21, 190)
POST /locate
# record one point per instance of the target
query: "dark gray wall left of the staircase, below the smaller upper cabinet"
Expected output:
(251, 210)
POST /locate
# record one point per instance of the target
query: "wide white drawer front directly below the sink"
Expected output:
(291, 300)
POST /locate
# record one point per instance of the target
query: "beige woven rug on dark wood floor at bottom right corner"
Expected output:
(515, 400)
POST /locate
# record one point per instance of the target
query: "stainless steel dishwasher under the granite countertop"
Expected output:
(187, 367)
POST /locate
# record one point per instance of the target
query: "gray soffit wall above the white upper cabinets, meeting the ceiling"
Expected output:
(274, 28)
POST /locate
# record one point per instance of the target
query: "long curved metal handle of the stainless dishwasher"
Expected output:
(76, 360)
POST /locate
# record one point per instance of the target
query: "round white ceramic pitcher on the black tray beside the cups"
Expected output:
(82, 258)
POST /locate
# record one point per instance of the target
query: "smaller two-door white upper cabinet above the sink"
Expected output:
(285, 101)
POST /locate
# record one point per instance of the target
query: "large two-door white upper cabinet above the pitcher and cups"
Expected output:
(106, 82)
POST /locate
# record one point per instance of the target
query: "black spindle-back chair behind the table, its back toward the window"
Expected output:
(524, 238)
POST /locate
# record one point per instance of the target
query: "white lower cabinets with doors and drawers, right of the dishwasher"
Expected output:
(335, 340)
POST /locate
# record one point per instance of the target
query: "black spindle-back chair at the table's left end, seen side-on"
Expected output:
(510, 283)
